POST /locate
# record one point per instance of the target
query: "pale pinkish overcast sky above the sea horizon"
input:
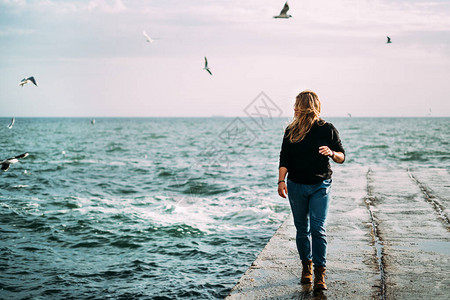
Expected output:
(91, 59)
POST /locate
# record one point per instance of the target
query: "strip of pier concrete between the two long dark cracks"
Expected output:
(416, 241)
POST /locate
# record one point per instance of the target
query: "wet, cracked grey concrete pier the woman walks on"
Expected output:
(388, 238)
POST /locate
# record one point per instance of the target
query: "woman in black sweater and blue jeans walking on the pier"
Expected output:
(308, 144)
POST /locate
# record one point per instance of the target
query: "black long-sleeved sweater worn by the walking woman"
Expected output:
(303, 161)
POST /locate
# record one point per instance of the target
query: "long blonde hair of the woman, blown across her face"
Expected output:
(308, 105)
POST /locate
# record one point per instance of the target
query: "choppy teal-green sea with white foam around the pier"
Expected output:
(162, 208)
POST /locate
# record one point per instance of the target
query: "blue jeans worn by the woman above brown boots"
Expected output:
(309, 204)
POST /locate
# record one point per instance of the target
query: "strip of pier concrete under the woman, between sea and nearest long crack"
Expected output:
(351, 267)
